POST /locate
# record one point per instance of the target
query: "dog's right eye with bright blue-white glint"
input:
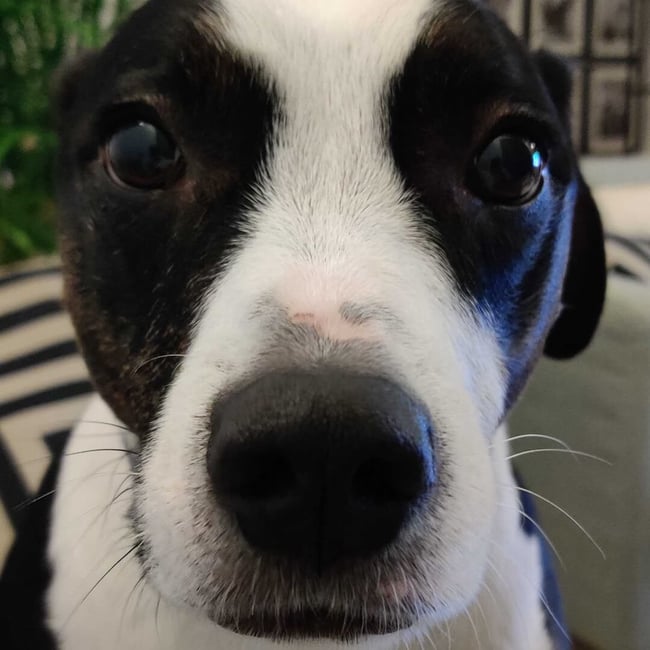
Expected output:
(509, 170)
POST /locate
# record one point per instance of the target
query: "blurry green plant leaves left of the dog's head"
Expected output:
(35, 36)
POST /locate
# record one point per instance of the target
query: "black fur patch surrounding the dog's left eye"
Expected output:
(137, 263)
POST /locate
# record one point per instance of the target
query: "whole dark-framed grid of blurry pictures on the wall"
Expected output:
(603, 42)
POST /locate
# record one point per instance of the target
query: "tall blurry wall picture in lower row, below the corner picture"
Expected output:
(610, 120)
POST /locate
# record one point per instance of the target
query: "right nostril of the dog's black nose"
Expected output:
(382, 481)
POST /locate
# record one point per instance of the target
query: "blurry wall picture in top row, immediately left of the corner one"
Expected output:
(558, 25)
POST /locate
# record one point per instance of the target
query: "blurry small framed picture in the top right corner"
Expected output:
(614, 27)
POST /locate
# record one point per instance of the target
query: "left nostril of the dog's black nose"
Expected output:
(256, 475)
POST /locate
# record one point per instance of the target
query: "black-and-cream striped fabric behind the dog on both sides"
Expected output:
(44, 384)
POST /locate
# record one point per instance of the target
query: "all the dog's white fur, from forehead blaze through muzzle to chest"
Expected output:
(332, 224)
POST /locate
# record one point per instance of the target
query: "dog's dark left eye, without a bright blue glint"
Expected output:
(140, 155)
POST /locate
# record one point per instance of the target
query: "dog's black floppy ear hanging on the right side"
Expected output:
(583, 294)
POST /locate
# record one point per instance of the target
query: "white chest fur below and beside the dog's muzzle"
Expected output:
(88, 537)
